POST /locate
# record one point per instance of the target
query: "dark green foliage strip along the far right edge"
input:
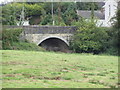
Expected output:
(114, 34)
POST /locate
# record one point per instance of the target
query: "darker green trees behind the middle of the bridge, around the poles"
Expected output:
(67, 13)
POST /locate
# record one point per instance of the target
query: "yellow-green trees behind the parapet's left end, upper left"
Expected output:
(11, 13)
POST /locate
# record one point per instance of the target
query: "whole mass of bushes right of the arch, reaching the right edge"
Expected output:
(92, 39)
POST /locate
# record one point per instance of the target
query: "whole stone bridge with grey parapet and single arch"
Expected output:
(54, 38)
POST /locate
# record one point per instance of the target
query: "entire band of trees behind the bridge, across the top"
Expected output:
(64, 12)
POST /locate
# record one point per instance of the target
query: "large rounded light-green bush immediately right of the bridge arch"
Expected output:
(89, 38)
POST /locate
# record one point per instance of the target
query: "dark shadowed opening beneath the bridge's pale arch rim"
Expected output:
(54, 44)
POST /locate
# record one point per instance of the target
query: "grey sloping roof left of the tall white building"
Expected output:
(86, 14)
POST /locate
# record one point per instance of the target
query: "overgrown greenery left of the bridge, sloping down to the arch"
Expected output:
(11, 41)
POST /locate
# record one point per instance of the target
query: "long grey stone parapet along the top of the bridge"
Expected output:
(35, 29)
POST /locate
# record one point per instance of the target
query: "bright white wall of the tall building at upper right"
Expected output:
(110, 9)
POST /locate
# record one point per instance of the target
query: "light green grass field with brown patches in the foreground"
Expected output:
(30, 69)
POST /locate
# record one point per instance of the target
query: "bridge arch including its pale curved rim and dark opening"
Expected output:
(54, 43)
